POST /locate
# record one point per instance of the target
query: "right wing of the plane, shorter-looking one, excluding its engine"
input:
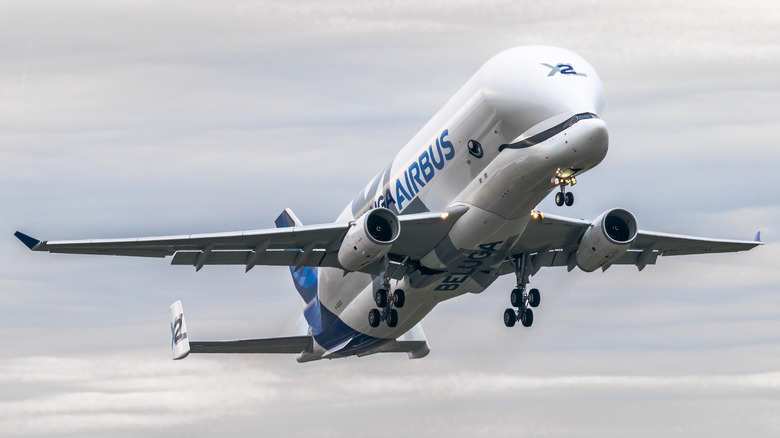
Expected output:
(553, 240)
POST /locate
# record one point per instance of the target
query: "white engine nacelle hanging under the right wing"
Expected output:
(607, 238)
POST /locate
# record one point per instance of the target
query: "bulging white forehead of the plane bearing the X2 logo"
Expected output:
(526, 85)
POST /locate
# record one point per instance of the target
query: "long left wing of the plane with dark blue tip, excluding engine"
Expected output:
(312, 245)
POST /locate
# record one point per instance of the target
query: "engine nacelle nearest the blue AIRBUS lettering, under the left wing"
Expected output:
(369, 239)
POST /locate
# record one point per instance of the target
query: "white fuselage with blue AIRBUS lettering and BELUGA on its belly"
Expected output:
(516, 95)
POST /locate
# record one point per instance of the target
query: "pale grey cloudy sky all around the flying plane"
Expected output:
(137, 118)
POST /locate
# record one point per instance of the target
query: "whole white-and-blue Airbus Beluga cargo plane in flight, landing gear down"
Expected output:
(451, 213)
